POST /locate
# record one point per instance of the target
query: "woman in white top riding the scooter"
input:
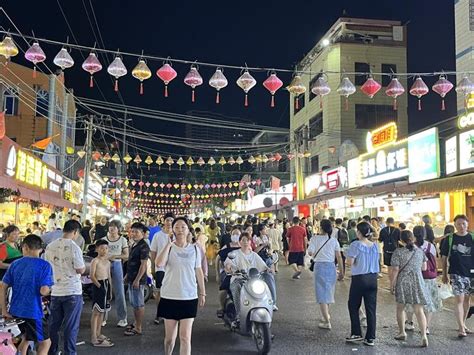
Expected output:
(244, 260)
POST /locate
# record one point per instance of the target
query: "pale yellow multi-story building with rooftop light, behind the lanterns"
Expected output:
(320, 127)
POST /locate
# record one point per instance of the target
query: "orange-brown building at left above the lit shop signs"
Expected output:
(36, 107)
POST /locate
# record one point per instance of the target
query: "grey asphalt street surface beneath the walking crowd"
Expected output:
(294, 326)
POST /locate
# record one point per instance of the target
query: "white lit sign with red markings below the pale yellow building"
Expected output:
(326, 181)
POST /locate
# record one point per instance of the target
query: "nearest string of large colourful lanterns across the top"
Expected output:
(246, 81)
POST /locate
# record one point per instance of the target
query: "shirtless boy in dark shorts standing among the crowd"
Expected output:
(101, 293)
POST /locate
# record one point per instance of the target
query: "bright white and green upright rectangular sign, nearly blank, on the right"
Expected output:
(423, 156)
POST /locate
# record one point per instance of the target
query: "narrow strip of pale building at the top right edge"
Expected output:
(464, 31)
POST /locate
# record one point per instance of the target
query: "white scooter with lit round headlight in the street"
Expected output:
(256, 309)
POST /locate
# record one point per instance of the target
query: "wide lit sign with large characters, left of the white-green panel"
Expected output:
(385, 164)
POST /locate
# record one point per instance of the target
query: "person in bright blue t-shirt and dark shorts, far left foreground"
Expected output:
(30, 278)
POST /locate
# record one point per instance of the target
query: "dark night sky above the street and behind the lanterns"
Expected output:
(261, 33)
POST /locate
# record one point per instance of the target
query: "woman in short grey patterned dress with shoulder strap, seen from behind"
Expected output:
(408, 285)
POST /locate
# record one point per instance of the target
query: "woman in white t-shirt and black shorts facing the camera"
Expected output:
(179, 291)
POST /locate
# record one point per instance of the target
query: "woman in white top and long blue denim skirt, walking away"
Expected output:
(323, 249)
